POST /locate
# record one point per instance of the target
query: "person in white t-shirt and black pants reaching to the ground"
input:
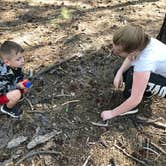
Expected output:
(143, 70)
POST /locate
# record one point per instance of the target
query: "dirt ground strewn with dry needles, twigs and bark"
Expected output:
(69, 62)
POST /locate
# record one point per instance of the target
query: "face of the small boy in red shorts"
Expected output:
(16, 61)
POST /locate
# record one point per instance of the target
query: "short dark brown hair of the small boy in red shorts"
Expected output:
(8, 47)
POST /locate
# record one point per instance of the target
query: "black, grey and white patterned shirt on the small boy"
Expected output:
(9, 78)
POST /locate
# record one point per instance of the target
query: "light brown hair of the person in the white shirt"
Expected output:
(131, 38)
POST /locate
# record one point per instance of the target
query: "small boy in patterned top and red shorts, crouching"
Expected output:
(11, 77)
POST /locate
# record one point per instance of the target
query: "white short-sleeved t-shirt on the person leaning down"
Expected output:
(152, 58)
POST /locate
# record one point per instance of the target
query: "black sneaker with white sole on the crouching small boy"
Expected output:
(13, 112)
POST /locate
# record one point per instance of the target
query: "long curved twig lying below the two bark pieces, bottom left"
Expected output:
(31, 154)
